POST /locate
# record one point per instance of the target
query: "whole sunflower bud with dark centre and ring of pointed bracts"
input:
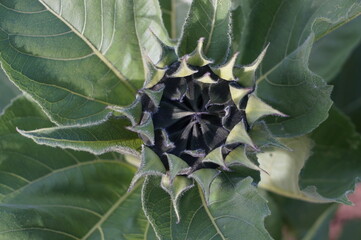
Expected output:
(197, 119)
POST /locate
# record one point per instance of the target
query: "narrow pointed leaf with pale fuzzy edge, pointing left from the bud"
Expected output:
(108, 136)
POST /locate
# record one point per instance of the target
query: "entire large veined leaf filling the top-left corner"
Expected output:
(77, 57)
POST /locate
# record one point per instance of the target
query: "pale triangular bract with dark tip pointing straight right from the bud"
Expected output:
(256, 109)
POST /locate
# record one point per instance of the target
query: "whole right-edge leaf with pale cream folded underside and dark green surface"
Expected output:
(329, 169)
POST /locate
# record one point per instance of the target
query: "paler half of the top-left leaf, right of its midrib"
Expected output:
(115, 27)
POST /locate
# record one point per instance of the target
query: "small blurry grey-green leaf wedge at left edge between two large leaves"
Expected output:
(7, 90)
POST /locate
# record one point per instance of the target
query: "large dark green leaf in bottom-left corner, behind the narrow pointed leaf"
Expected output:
(50, 193)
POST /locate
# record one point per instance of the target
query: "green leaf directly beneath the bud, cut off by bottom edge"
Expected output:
(229, 215)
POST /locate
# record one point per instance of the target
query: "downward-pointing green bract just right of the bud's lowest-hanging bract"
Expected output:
(204, 177)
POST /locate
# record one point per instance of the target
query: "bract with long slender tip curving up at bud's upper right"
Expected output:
(246, 74)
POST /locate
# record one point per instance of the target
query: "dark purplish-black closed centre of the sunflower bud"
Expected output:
(194, 117)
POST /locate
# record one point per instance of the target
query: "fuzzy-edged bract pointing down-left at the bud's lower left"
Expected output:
(150, 165)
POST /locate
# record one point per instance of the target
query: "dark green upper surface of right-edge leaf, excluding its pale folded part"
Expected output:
(335, 165)
